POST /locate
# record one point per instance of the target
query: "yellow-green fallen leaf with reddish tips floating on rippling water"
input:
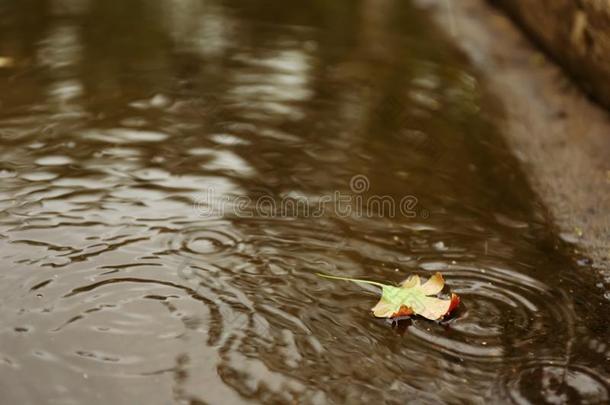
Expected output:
(410, 298)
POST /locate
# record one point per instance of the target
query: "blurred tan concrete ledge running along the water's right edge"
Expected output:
(559, 135)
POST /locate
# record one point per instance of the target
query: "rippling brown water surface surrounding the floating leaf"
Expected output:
(174, 173)
